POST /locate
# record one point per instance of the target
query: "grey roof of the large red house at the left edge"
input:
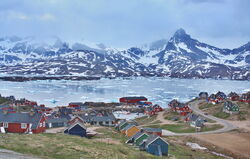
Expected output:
(21, 118)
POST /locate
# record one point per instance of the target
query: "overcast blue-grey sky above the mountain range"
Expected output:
(124, 23)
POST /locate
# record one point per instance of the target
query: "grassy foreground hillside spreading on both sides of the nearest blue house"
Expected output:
(109, 145)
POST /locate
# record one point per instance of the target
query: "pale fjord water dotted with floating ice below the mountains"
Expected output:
(158, 90)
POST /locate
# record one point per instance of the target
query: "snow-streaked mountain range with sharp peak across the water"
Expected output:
(181, 57)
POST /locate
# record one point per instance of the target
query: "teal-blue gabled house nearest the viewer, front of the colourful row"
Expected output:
(155, 145)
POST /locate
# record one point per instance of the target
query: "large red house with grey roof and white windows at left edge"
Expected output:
(22, 122)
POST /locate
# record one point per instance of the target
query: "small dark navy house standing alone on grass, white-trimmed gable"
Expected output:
(76, 129)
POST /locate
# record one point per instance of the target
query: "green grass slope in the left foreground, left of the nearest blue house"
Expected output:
(60, 146)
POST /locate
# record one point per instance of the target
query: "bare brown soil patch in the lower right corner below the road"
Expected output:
(236, 143)
